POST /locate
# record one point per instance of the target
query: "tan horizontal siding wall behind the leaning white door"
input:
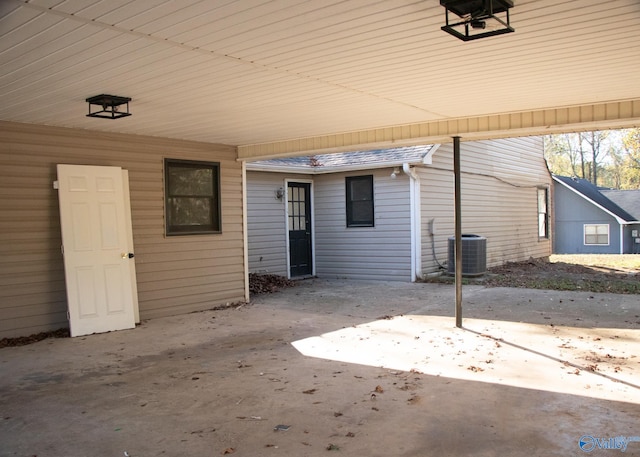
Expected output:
(174, 274)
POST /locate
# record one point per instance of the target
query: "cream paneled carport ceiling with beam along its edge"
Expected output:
(280, 77)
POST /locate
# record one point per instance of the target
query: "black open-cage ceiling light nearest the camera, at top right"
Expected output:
(477, 18)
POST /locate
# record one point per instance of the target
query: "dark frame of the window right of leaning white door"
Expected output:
(214, 200)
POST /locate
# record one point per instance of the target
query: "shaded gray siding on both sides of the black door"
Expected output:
(379, 252)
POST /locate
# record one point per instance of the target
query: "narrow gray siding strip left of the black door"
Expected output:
(267, 235)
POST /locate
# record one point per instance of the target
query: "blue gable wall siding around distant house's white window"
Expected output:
(572, 211)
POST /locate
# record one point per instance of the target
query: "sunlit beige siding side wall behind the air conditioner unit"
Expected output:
(499, 199)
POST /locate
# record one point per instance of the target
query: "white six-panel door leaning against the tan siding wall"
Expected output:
(98, 254)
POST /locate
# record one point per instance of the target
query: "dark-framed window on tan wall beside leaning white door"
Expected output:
(192, 197)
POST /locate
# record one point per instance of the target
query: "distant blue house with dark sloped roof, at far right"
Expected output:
(589, 220)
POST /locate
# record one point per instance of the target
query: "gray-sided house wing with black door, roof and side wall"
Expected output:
(388, 214)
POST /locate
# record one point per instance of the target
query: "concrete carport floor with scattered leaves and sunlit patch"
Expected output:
(351, 367)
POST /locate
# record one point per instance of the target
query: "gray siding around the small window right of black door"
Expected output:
(381, 252)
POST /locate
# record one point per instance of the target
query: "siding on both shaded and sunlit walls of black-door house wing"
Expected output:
(500, 182)
